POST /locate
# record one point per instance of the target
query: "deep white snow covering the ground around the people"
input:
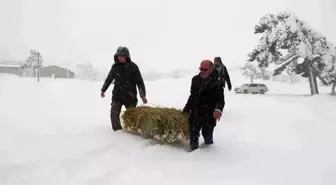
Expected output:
(58, 132)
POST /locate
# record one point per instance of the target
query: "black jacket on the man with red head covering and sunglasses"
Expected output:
(206, 95)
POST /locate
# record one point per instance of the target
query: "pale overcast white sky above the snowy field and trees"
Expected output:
(161, 35)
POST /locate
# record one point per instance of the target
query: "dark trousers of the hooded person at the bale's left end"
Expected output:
(115, 113)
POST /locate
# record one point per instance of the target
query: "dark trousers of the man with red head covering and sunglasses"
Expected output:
(207, 126)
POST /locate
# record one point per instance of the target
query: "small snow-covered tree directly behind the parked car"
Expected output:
(253, 71)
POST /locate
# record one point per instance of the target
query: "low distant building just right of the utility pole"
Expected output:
(54, 71)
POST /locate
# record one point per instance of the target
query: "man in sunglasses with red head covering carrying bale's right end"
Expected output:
(205, 104)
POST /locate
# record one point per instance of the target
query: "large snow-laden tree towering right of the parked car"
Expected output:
(284, 36)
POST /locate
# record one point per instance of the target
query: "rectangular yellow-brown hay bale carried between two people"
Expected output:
(165, 124)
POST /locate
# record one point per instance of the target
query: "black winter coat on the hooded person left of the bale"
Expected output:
(126, 77)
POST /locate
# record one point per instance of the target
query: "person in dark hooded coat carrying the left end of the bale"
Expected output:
(126, 76)
